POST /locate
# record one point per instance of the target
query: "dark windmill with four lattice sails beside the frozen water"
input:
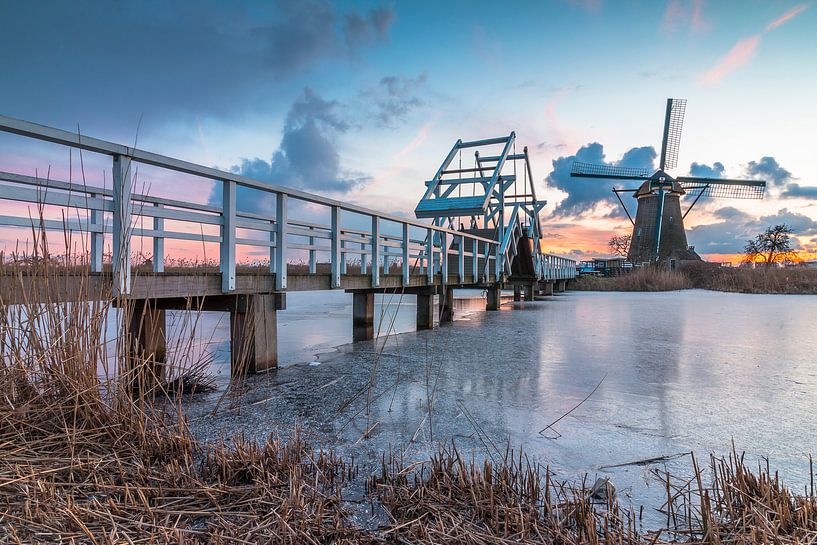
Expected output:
(658, 228)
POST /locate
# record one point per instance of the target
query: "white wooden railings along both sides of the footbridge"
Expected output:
(420, 247)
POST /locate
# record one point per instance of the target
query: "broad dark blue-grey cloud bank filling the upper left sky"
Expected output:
(92, 60)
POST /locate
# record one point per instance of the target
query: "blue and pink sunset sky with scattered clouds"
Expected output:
(363, 100)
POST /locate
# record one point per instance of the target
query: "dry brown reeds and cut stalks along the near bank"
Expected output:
(86, 457)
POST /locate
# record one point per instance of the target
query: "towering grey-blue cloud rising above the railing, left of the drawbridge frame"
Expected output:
(307, 157)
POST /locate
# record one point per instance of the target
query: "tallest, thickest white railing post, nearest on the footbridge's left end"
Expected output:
(121, 224)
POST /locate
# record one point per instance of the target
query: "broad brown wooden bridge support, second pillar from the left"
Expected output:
(253, 334)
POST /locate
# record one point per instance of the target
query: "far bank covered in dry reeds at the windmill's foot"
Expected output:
(729, 279)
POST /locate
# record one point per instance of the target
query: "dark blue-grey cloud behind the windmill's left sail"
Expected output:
(584, 194)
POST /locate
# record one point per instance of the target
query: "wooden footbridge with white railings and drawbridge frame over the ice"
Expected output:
(485, 233)
